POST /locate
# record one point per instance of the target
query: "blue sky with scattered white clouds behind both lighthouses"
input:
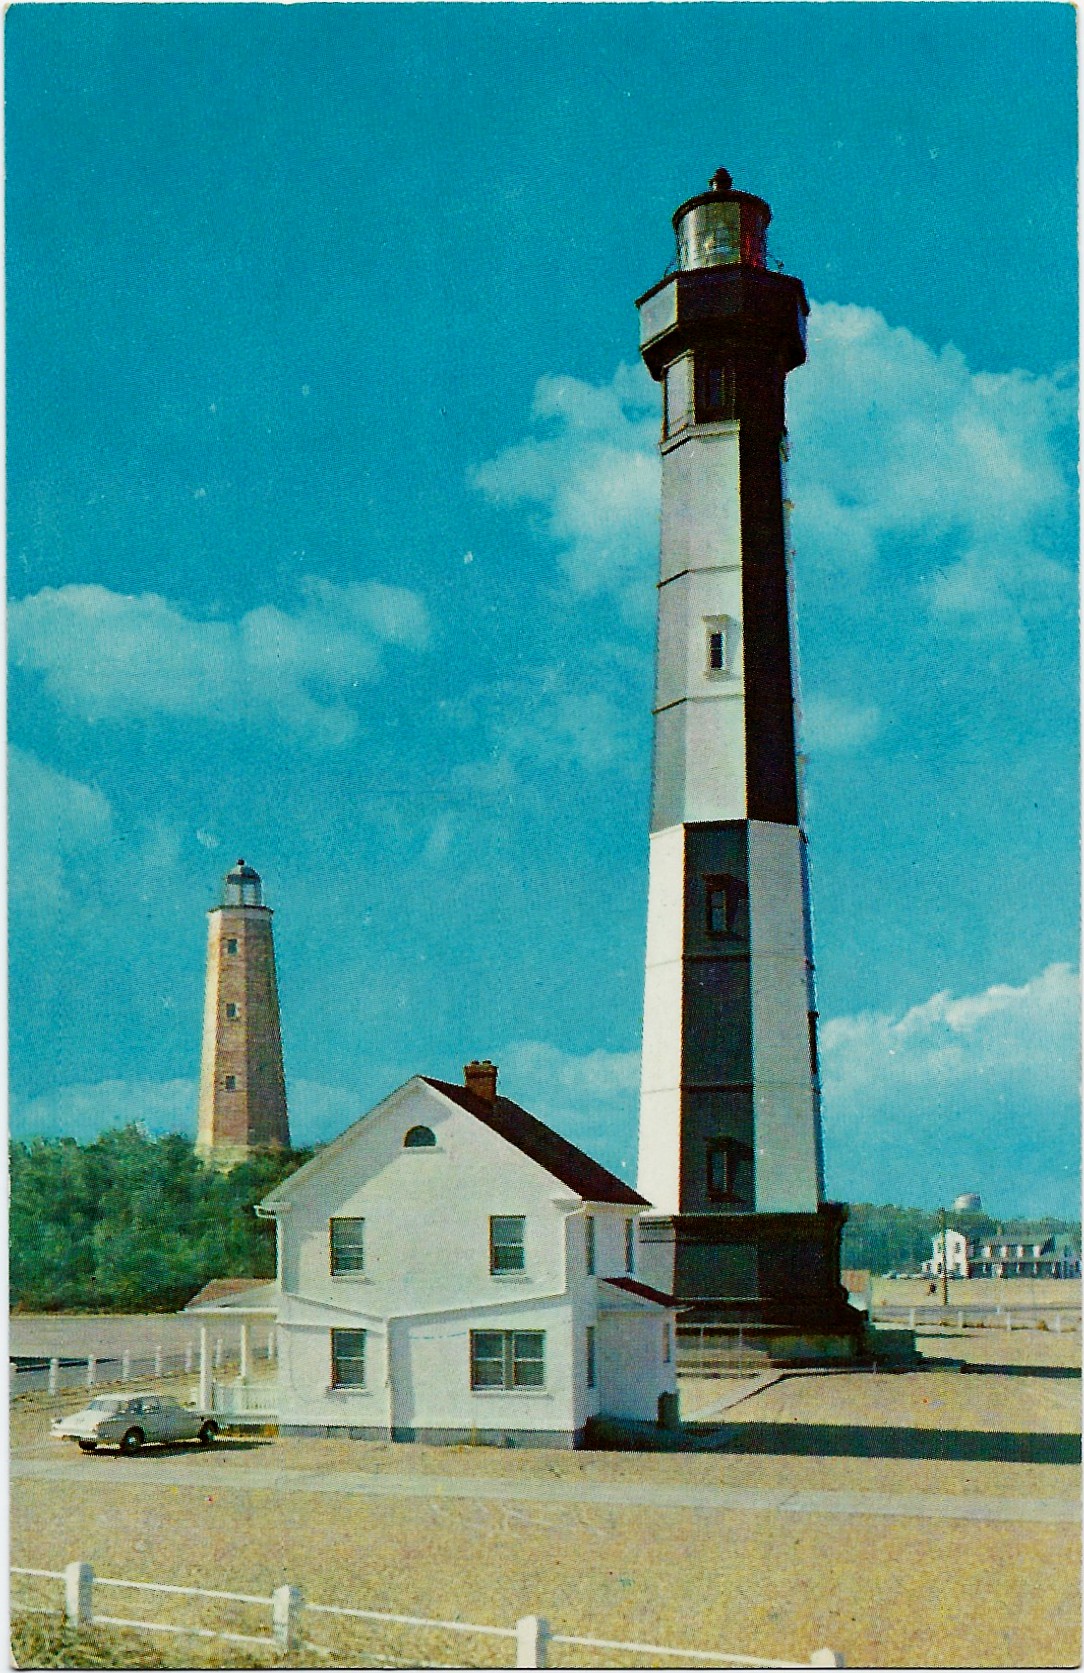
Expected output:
(334, 530)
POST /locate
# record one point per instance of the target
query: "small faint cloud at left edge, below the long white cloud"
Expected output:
(53, 821)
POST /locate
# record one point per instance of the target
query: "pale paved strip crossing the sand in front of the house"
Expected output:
(220, 1475)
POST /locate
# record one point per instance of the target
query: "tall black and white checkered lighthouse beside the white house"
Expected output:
(730, 1145)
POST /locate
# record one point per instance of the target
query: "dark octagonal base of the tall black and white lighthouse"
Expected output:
(755, 1287)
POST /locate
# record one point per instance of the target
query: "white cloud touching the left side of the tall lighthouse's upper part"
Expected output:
(595, 473)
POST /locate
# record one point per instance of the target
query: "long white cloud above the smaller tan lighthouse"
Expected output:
(110, 657)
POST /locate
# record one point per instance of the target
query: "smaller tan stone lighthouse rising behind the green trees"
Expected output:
(242, 1088)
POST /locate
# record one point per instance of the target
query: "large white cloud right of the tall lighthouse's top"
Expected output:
(899, 443)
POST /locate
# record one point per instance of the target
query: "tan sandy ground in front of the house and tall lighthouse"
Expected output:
(886, 1592)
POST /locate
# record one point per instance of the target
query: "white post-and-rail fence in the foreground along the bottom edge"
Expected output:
(290, 1614)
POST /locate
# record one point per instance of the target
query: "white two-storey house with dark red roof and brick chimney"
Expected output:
(454, 1271)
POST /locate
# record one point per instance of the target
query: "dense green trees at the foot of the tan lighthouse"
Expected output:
(135, 1224)
